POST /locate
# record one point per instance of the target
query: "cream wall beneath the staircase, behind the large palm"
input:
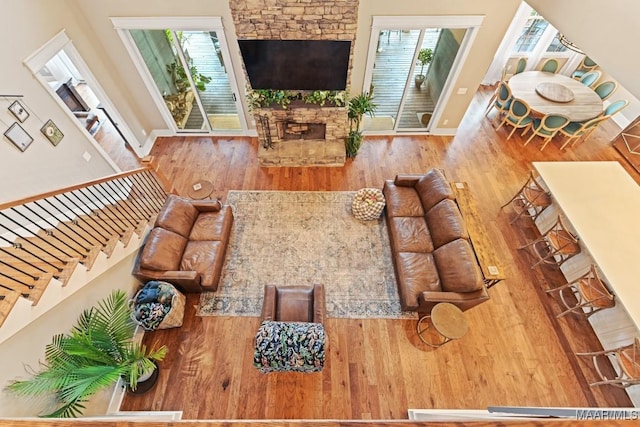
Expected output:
(27, 347)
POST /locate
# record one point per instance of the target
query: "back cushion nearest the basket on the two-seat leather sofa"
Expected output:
(162, 250)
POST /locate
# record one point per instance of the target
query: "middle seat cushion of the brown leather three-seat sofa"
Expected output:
(409, 234)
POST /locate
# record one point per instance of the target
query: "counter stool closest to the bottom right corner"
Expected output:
(625, 361)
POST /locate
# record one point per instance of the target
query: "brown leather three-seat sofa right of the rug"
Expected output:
(432, 255)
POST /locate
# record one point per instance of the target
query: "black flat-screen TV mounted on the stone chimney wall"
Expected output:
(296, 64)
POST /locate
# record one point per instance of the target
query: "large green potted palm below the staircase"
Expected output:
(96, 353)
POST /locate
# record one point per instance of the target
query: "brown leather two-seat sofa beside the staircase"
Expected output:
(187, 244)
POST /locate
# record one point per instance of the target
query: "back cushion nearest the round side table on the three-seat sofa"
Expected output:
(457, 267)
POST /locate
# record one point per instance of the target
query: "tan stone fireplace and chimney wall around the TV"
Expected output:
(306, 134)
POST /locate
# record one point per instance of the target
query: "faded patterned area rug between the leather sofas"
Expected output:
(291, 238)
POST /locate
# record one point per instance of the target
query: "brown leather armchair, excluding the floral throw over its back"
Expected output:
(294, 303)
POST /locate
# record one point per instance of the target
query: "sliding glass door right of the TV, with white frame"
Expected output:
(409, 67)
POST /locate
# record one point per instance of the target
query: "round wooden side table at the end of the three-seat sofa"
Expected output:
(447, 320)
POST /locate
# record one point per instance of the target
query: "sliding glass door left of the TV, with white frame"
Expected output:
(184, 64)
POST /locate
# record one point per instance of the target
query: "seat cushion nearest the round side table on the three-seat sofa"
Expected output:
(416, 273)
